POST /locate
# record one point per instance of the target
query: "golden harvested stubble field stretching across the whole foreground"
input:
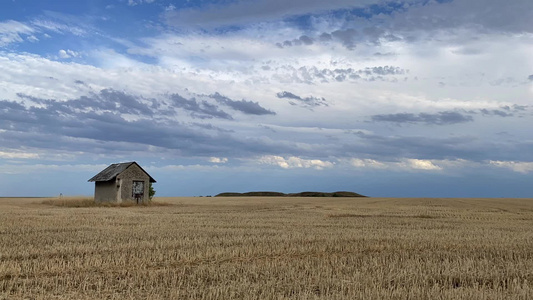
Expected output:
(269, 248)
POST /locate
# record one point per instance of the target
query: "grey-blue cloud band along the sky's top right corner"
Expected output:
(404, 20)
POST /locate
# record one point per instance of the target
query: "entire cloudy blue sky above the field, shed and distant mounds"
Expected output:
(399, 98)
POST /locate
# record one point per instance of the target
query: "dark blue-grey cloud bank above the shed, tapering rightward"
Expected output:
(114, 122)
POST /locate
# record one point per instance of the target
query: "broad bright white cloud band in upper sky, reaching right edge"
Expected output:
(442, 79)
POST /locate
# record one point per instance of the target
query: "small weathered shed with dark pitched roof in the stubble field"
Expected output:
(122, 182)
